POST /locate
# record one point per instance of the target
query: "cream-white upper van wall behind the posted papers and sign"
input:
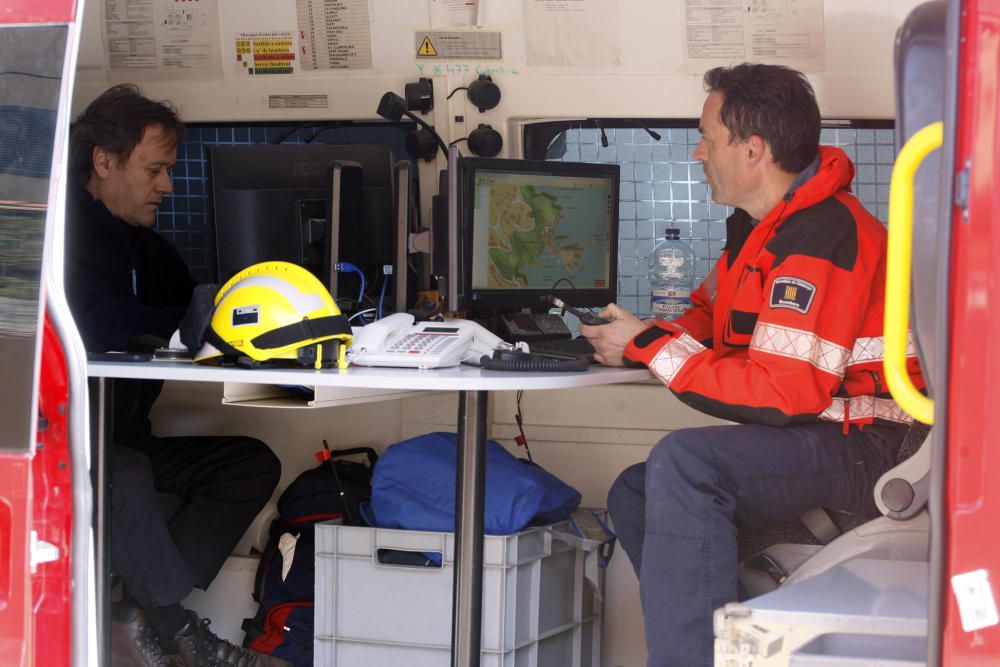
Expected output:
(650, 82)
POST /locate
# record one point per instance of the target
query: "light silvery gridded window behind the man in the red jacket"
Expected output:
(663, 186)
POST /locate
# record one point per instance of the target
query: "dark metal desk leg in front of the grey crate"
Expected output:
(470, 474)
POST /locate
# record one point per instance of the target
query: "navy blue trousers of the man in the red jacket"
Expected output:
(676, 514)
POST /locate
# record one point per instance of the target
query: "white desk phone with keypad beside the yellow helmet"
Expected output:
(396, 341)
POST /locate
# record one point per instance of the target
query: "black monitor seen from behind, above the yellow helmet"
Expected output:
(274, 202)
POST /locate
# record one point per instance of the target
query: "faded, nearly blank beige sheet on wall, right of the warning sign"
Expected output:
(572, 32)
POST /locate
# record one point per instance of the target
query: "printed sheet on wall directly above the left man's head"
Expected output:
(163, 39)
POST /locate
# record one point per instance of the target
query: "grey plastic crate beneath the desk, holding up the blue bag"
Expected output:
(538, 610)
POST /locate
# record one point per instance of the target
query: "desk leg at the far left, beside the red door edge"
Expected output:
(100, 398)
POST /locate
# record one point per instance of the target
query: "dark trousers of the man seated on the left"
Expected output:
(220, 482)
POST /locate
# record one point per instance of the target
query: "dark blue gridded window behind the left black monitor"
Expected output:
(185, 218)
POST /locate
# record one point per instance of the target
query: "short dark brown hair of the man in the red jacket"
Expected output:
(773, 102)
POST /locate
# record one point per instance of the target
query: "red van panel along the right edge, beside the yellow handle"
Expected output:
(973, 504)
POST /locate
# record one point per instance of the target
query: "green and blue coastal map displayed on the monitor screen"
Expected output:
(540, 229)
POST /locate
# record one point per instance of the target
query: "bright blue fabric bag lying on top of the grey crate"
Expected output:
(413, 487)
